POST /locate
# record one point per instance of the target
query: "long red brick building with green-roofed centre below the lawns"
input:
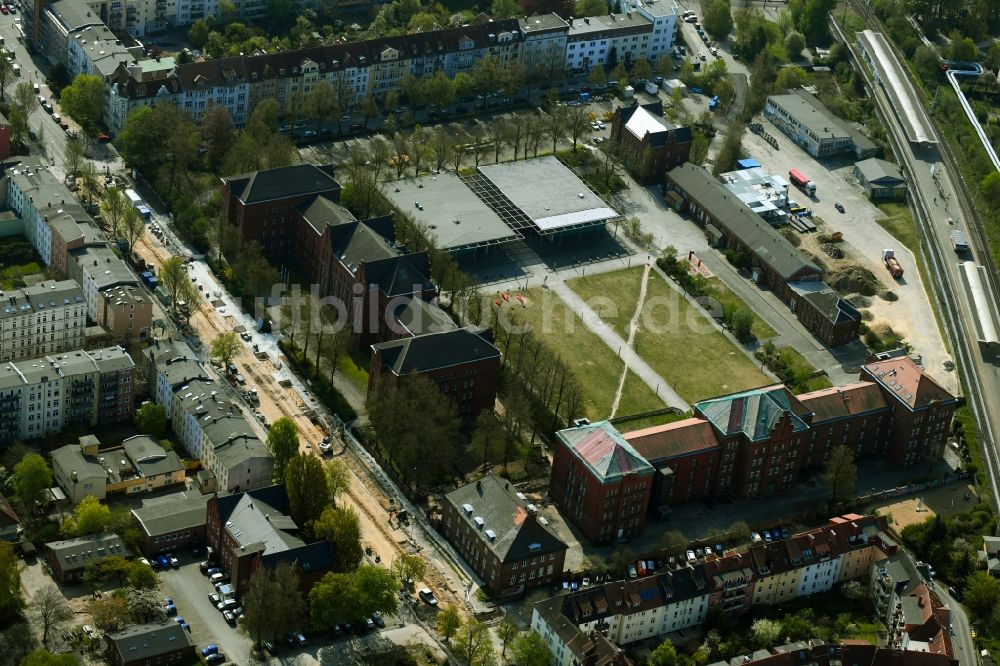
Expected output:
(759, 442)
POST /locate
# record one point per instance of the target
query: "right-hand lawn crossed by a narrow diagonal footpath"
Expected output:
(685, 349)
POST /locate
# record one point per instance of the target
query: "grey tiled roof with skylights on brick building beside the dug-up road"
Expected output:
(502, 520)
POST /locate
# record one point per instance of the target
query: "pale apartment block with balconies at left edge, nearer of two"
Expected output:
(45, 395)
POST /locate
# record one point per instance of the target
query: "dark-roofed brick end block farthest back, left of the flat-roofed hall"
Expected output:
(265, 204)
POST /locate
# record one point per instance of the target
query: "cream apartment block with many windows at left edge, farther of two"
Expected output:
(47, 318)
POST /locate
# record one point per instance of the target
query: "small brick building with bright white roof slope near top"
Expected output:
(650, 145)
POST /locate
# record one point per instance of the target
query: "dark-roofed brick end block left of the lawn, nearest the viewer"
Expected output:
(463, 363)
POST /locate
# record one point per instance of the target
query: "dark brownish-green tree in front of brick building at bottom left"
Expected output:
(273, 604)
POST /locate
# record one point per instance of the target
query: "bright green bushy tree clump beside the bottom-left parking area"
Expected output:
(355, 595)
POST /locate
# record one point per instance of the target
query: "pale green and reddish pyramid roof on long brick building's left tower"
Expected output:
(606, 453)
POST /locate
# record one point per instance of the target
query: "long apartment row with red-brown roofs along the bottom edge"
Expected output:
(678, 596)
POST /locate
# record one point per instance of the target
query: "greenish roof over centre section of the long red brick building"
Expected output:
(755, 413)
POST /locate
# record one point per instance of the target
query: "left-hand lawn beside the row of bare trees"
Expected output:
(596, 366)
